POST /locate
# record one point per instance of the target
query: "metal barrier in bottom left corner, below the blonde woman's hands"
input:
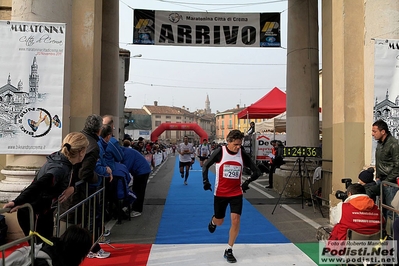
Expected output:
(30, 238)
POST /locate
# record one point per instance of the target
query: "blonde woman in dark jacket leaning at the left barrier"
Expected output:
(51, 184)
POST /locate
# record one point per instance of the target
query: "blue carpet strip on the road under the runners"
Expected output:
(188, 210)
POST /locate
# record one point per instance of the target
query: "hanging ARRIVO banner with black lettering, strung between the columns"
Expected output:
(206, 29)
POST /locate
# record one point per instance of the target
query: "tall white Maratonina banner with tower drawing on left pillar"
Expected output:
(31, 86)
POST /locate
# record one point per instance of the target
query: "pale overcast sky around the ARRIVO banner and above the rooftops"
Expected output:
(184, 76)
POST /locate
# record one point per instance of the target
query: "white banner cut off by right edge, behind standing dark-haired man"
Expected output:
(386, 86)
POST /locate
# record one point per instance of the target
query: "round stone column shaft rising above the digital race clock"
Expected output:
(302, 74)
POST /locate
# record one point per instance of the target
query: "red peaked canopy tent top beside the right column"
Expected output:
(270, 105)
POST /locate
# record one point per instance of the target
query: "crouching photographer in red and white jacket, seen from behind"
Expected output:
(358, 212)
